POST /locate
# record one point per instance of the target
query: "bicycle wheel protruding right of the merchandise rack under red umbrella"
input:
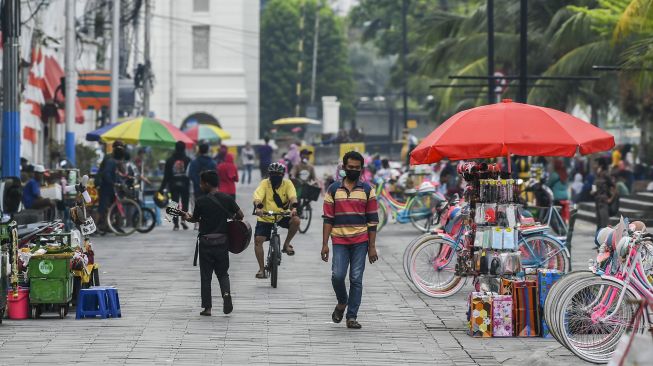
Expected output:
(544, 251)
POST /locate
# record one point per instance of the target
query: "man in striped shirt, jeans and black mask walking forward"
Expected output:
(350, 219)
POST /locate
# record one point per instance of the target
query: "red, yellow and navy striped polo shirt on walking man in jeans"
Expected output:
(352, 214)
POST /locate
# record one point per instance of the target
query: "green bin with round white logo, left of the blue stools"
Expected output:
(51, 283)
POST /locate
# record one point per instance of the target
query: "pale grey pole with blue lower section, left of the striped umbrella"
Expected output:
(71, 83)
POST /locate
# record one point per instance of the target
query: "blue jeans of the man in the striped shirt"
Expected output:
(350, 257)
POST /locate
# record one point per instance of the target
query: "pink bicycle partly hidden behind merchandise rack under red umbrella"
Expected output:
(431, 261)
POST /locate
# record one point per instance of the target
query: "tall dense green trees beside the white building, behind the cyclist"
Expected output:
(280, 37)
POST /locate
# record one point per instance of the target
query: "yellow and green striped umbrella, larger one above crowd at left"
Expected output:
(147, 132)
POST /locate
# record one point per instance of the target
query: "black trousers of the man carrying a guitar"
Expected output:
(213, 259)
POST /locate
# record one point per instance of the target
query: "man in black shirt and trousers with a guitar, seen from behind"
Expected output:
(212, 212)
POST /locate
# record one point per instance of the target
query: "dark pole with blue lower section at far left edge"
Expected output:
(11, 98)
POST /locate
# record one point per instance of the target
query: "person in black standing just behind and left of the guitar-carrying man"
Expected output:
(177, 181)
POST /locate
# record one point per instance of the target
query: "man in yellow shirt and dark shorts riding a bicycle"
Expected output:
(274, 194)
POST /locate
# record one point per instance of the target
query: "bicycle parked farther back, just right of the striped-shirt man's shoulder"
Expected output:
(419, 209)
